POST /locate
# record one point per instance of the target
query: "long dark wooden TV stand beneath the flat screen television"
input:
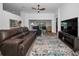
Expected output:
(71, 40)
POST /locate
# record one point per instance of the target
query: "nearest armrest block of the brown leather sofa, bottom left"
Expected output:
(10, 47)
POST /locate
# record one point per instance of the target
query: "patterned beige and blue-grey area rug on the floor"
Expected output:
(51, 46)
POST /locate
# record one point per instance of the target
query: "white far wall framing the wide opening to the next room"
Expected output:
(40, 16)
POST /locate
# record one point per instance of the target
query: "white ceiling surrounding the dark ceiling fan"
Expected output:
(16, 8)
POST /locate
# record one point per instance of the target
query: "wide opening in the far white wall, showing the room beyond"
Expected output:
(44, 25)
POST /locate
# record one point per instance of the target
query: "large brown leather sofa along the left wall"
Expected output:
(16, 42)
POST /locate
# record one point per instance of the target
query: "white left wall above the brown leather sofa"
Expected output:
(5, 17)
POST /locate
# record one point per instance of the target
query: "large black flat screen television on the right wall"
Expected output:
(70, 26)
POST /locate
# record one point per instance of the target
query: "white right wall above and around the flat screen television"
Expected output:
(69, 10)
